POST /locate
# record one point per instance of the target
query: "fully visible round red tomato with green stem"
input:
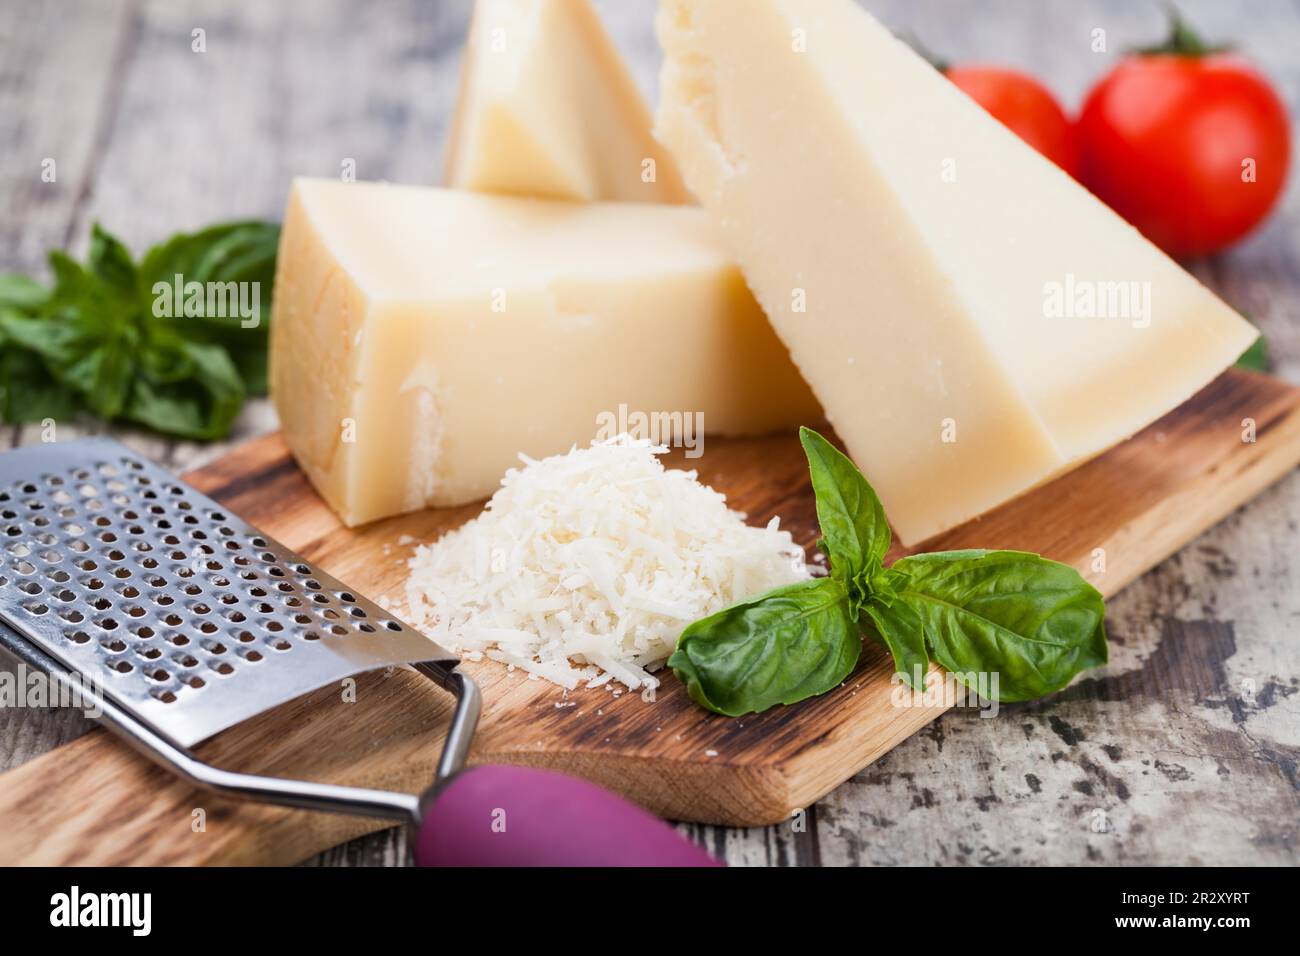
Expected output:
(1167, 142)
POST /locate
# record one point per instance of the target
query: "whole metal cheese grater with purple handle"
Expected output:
(187, 621)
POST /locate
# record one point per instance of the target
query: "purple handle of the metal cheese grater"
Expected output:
(501, 816)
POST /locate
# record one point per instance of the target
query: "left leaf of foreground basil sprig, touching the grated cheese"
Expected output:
(785, 647)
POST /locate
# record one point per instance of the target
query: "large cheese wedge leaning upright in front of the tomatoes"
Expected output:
(973, 321)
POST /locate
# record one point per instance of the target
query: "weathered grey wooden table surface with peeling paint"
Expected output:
(1182, 751)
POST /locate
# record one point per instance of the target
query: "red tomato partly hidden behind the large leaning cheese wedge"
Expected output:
(1024, 106)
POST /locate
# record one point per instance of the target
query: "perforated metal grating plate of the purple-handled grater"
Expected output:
(184, 613)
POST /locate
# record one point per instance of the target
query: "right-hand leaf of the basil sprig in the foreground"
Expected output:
(1034, 622)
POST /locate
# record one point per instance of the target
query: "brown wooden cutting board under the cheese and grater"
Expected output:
(93, 802)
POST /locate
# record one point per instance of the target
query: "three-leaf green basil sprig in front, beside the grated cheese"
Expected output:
(1034, 622)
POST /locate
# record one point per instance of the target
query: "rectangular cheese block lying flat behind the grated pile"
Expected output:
(423, 339)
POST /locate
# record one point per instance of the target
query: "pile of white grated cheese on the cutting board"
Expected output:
(587, 568)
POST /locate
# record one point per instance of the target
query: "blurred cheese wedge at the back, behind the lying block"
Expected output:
(549, 109)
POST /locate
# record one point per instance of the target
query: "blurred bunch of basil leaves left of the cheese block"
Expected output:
(92, 343)
